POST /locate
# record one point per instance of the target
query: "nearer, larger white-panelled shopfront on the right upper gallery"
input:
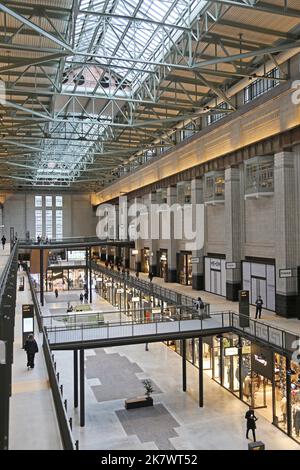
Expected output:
(259, 279)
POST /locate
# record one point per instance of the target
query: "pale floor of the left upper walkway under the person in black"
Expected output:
(33, 423)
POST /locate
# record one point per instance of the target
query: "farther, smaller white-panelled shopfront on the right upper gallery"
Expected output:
(215, 275)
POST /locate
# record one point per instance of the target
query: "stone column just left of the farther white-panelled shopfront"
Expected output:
(197, 268)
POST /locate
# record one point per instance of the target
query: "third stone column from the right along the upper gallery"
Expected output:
(198, 228)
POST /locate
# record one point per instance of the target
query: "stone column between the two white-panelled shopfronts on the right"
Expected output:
(233, 231)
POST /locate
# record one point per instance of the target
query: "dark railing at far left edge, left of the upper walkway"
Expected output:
(8, 291)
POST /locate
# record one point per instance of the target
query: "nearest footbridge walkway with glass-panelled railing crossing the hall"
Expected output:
(98, 329)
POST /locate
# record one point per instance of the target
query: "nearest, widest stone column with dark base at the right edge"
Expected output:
(286, 243)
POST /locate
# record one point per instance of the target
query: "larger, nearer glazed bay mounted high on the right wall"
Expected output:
(259, 177)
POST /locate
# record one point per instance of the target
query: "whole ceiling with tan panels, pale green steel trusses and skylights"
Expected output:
(89, 86)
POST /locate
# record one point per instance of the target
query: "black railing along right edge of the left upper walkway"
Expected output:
(61, 412)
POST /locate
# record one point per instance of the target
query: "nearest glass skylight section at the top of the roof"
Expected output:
(145, 40)
